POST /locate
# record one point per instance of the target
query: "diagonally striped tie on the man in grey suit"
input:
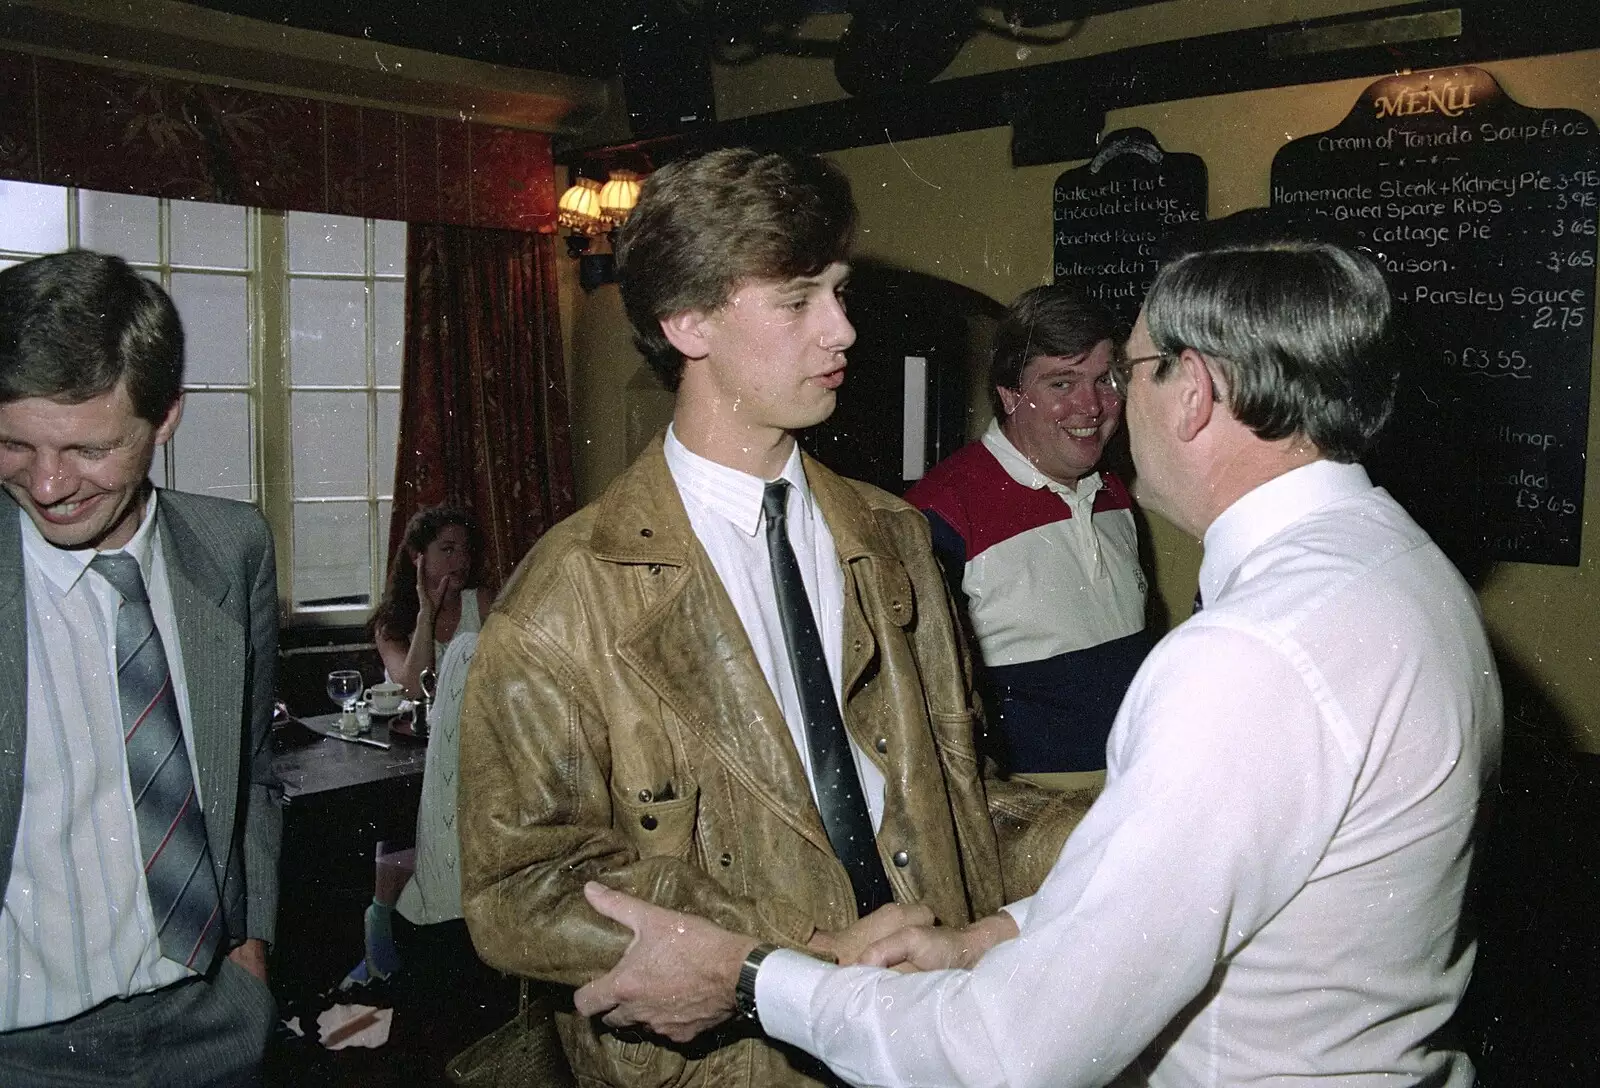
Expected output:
(172, 828)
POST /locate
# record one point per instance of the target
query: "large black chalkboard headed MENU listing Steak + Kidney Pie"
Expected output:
(1484, 214)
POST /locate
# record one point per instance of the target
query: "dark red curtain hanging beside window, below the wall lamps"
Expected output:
(484, 417)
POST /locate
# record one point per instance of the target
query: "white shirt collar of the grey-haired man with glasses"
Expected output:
(1273, 506)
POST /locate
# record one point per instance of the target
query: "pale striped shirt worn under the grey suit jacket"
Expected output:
(78, 927)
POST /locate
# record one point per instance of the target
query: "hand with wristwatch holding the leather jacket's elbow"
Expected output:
(678, 975)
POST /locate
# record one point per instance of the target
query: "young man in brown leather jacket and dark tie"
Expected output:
(638, 713)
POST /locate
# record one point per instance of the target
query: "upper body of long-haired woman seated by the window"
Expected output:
(433, 594)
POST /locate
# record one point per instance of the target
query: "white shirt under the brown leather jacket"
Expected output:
(726, 513)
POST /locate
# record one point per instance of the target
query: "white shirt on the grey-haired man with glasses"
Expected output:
(1271, 886)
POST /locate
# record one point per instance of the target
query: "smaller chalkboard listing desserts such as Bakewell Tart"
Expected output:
(1113, 215)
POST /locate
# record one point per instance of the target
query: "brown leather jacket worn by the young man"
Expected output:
(618, 727)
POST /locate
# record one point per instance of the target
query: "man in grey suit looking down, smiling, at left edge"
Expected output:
(140, 818)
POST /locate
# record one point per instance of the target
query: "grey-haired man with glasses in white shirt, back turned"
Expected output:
(1270, 890)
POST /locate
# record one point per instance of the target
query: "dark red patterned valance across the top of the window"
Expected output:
(68, 124)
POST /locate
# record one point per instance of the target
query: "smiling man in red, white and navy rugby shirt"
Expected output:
(1041, 546)
